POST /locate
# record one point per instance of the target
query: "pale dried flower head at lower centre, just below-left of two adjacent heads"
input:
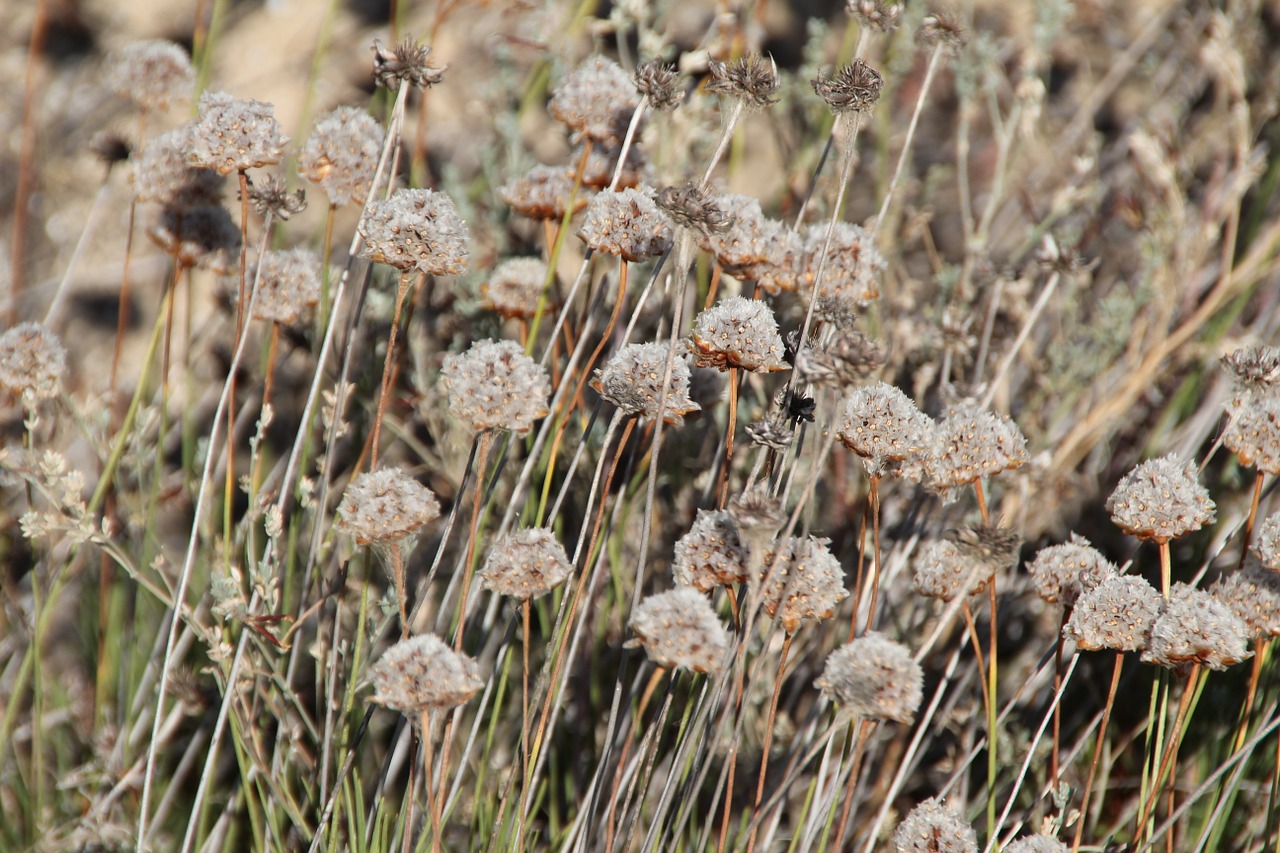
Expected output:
(679, 628)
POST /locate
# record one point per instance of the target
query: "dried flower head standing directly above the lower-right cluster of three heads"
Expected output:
(1160, 500)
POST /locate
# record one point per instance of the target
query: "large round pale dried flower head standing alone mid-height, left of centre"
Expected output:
(496, 386)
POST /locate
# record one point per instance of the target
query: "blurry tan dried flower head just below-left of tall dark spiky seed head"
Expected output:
(342, 154)
